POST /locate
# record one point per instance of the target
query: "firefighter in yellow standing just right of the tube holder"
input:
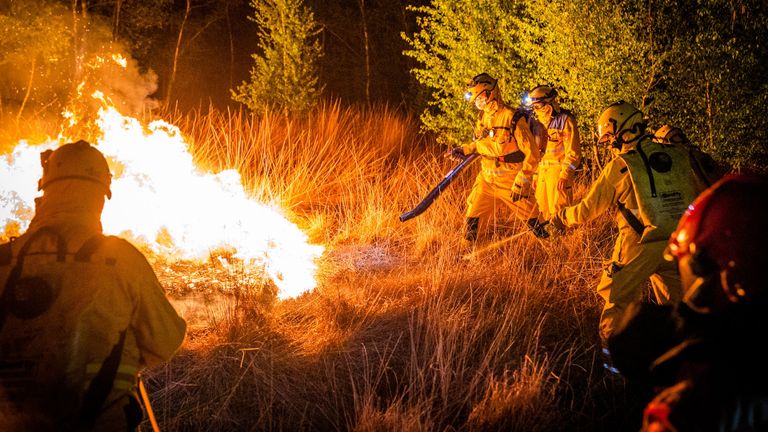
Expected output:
(561, 155)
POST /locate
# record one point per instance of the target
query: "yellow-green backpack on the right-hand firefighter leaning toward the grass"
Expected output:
(664, 183)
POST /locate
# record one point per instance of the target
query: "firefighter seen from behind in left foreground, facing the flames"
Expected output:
(80, 313)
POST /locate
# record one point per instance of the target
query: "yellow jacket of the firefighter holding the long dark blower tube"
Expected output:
(504, 140)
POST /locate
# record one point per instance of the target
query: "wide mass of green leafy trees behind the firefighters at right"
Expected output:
(708, 76)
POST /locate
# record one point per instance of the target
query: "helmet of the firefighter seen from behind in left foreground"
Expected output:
(77, 160)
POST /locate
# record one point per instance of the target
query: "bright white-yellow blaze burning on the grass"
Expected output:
(162, 200)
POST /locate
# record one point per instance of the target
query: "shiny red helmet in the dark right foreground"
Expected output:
(720, 240)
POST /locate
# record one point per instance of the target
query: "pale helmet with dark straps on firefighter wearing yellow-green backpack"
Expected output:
(619, 124)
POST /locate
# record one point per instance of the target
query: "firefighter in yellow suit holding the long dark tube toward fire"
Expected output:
(509, 159)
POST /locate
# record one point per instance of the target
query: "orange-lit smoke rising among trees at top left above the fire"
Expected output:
(51, 62)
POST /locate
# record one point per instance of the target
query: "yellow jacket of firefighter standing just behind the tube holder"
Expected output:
(563, 146)
